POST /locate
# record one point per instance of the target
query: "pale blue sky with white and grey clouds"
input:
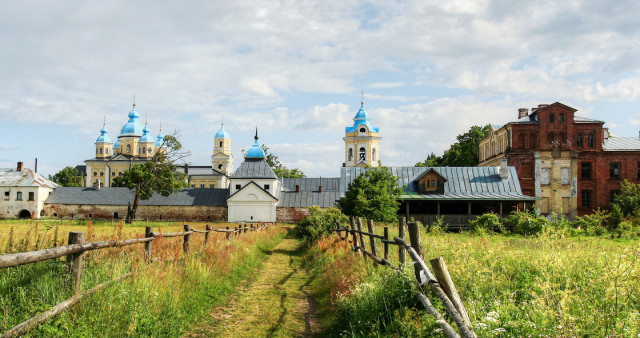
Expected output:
(296, 70)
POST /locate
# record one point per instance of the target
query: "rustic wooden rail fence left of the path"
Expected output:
(74, 253)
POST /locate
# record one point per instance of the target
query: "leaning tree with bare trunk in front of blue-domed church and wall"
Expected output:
(157, 175)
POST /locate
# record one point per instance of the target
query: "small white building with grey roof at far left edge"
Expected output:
(23, 192)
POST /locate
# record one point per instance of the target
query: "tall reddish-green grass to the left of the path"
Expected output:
(164, 298)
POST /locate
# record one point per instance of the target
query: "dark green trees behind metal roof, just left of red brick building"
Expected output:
(463, 153)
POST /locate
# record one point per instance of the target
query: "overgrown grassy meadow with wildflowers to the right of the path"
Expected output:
(510, 285)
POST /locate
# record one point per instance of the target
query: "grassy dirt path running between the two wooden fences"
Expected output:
(277, 304)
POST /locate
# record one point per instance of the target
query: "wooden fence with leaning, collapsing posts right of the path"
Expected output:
(441, 284)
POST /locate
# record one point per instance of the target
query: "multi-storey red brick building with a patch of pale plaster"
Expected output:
(570, 163)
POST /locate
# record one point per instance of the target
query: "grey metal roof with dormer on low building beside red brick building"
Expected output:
(462, 183)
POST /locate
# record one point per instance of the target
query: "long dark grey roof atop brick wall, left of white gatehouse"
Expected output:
(122, 196)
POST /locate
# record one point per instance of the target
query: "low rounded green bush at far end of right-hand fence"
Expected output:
(320, 222)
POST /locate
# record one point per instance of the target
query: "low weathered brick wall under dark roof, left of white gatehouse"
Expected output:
(156, 213)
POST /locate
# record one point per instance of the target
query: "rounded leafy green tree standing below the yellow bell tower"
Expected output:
(372, 195)
